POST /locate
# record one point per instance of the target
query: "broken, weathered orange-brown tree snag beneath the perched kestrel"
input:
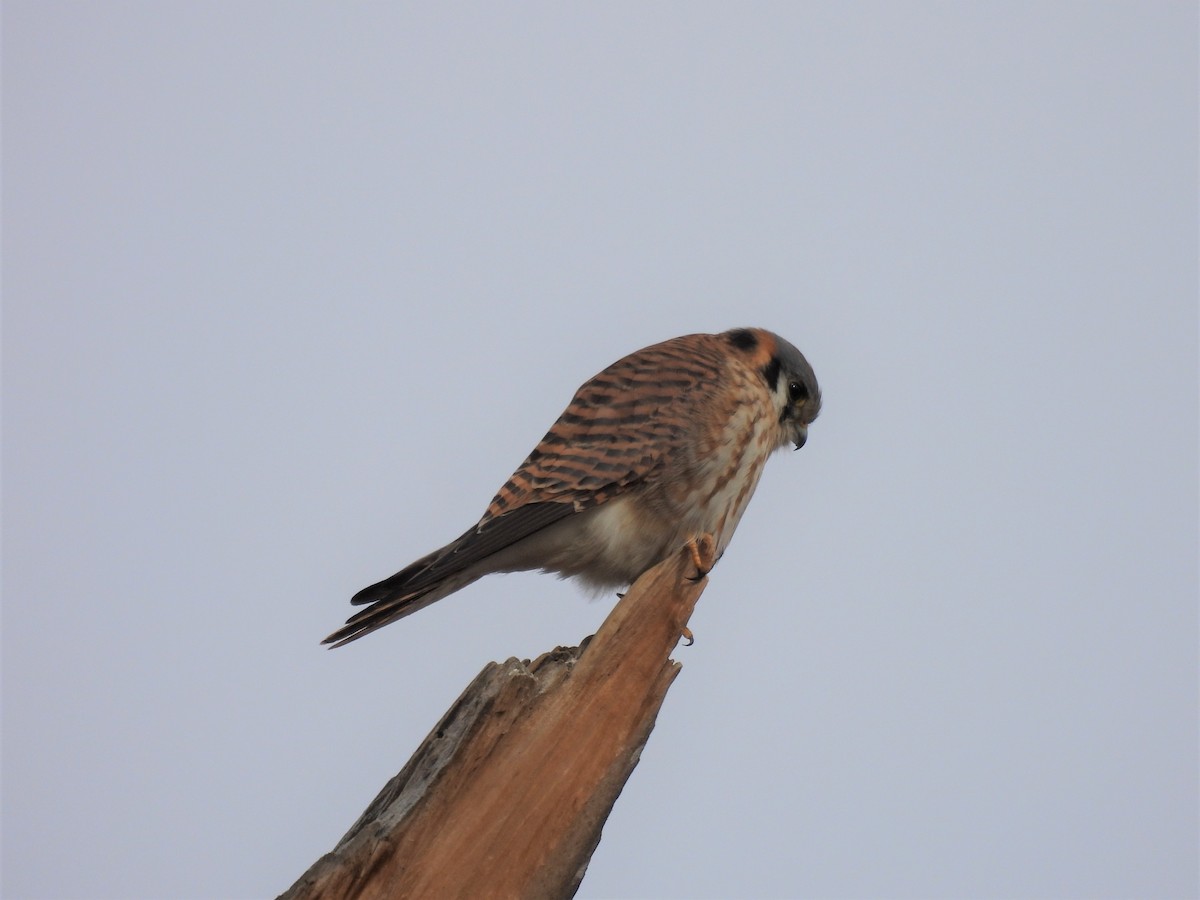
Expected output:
(508, 795)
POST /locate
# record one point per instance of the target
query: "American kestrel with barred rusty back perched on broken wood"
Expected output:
(661, 448)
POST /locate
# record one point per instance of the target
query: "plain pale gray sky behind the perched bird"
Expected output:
(291, 290)
